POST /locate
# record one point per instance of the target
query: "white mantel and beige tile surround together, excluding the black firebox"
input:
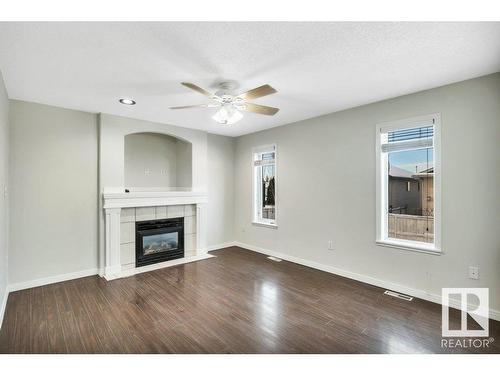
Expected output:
(123, 210)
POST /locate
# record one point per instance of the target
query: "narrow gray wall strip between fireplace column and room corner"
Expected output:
(220, 189)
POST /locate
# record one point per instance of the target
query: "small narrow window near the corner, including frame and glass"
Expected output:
(264, 191)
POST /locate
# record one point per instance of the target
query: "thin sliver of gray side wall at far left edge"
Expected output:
(4, 203)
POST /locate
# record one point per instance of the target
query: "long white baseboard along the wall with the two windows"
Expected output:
(418, 293)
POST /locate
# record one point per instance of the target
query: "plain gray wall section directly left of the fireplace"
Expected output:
(53, 179)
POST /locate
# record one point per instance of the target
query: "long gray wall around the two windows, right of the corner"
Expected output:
(326, 190)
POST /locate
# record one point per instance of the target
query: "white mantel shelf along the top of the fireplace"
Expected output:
(152, 198)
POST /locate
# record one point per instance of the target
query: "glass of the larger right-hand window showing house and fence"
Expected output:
(411, 194)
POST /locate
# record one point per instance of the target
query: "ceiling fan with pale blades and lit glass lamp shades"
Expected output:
(230, 104)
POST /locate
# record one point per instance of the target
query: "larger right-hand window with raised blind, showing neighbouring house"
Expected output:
(408, 184)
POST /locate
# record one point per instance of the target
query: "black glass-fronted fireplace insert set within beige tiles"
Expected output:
(159, 241)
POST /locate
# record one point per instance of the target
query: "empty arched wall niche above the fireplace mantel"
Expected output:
(157, 161)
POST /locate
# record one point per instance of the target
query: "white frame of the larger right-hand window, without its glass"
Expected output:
(382, 192)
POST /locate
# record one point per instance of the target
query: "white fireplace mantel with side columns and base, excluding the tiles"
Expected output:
(114, 201)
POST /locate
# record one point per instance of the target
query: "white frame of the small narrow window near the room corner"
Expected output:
(256, 219)
